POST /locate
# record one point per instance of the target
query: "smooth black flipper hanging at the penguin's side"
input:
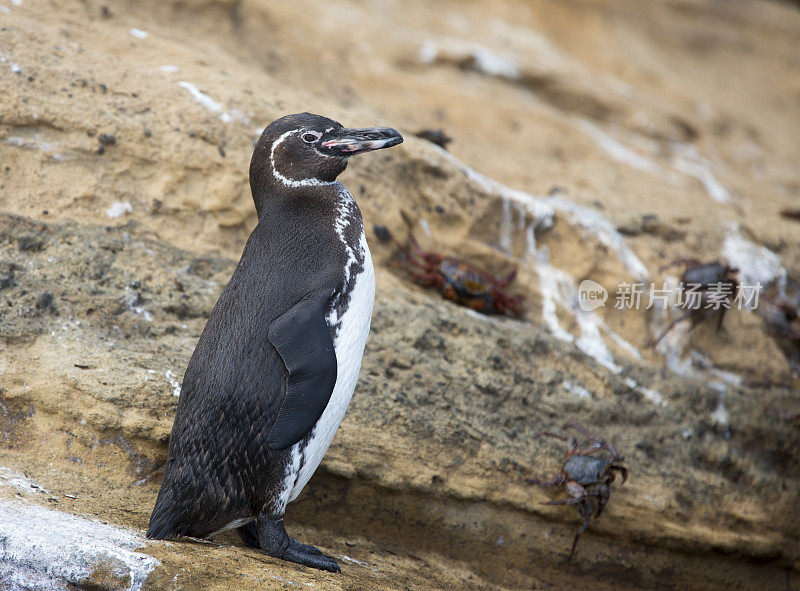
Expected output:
(303, 340)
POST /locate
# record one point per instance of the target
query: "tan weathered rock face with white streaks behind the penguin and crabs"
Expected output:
(676, 123)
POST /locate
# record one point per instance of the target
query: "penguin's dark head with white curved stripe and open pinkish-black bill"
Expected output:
(306, 150)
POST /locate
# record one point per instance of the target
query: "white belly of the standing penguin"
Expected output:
(349, 346)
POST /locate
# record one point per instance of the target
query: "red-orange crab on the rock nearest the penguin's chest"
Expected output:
(461, 282)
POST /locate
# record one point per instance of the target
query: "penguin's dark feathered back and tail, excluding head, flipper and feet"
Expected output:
(220, 467)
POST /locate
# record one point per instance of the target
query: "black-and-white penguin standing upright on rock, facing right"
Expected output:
(277, 362)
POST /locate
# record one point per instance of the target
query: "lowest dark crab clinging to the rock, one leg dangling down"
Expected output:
(585, 475)
